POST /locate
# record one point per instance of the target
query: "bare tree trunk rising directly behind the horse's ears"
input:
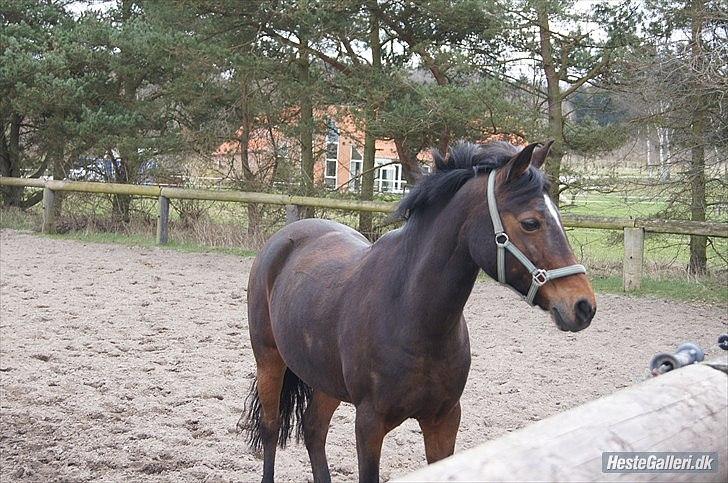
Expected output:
(555, 108)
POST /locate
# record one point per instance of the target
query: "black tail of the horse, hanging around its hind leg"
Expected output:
(295, 395)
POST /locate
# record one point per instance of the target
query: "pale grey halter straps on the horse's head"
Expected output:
(539, 276)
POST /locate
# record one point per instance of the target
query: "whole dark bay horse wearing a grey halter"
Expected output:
(335, 318)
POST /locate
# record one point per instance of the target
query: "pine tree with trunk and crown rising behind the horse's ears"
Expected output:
(568, 50)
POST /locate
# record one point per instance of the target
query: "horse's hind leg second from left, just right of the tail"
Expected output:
(316, 422)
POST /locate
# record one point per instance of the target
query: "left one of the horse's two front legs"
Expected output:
(370, 432)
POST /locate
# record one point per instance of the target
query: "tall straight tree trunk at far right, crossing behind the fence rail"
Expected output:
(698, 258)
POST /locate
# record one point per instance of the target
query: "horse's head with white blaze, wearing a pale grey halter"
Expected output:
(537, 260)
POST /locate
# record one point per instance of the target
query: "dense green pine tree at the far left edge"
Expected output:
(42, 86)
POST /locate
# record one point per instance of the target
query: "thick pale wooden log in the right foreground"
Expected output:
(683, 410)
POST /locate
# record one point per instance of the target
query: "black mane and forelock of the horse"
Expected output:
(453, 171)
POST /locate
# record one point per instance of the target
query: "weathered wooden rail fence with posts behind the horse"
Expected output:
(634, 229)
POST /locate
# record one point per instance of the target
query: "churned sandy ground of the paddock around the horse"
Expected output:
(133, 364)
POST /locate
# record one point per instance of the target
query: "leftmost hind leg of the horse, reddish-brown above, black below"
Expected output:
(271, 371)
